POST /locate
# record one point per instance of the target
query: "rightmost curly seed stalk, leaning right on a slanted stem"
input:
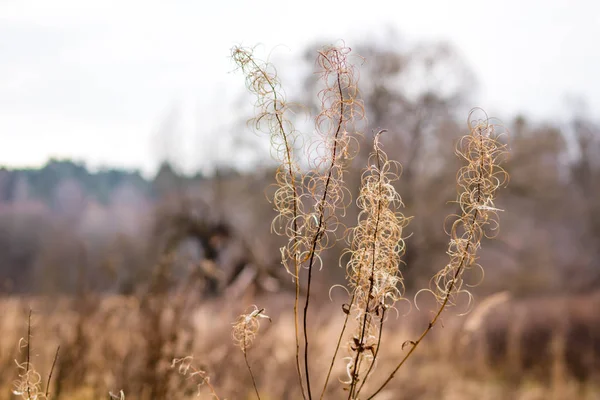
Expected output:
(477, 182)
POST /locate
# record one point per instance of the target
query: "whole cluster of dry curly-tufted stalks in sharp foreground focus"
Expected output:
(311, 198)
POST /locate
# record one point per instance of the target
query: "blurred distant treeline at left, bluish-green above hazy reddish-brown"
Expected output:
(64, 227)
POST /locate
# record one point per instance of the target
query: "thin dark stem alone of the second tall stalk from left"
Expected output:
(318, 232)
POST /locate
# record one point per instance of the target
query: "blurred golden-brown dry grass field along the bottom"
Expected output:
(507, 351)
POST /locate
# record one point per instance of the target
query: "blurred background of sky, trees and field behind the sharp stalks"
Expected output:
(124, 139)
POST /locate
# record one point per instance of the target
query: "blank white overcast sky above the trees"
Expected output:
(95, 79)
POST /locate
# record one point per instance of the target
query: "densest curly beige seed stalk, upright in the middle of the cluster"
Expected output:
(373, 272)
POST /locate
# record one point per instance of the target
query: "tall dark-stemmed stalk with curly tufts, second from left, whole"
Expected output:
(341, 110)
